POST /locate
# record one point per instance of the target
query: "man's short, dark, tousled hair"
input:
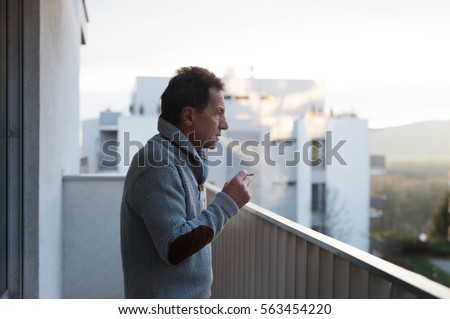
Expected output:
(188, 87)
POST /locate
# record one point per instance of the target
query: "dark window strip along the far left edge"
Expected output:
(11, 152)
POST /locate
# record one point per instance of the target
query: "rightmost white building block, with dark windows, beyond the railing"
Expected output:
(333, 180)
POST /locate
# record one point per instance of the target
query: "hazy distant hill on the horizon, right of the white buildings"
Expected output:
(422, 141)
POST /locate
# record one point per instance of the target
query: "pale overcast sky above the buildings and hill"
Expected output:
(386, 60)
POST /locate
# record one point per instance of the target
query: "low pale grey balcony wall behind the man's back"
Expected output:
(91, 236)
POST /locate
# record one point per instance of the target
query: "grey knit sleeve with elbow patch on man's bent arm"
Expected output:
(160, 199)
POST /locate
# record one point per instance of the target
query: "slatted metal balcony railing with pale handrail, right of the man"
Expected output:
(260, 254)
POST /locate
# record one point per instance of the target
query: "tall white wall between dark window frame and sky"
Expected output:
(58, 130)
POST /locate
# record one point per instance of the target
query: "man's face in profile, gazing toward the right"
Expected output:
(208, 124)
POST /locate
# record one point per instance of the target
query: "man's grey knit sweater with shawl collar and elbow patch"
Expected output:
(166, 228)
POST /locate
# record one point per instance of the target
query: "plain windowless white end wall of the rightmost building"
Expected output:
(352, 181)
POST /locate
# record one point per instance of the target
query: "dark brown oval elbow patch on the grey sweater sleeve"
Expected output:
(188, 244)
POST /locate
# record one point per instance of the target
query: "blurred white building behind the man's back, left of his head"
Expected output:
(130, 130)
